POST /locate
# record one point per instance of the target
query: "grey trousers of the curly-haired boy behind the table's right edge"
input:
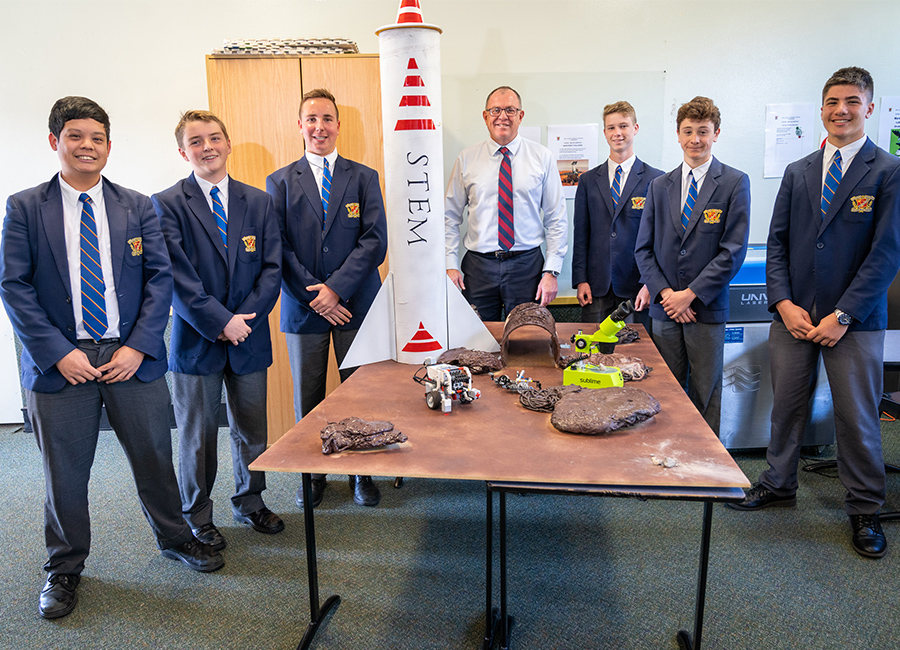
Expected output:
(694, 353)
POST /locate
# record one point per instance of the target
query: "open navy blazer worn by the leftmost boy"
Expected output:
(35, 286)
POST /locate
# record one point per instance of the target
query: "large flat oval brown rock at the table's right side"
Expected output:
(602, 410)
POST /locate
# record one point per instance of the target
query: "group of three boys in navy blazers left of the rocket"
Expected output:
(88, 273)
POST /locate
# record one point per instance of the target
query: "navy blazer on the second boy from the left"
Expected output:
(213, 283)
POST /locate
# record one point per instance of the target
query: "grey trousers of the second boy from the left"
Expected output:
(197, 400)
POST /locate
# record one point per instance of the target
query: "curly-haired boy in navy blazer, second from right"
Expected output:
(692, 241)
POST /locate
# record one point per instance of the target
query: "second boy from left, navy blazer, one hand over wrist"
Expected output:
(225, 248)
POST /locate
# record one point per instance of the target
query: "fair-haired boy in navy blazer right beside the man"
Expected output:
(609, 203)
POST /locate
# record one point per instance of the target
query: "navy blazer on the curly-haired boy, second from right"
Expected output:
(706, 255)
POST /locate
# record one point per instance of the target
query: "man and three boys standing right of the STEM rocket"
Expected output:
(672, 243)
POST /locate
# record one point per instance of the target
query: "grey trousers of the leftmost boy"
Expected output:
(67, 426)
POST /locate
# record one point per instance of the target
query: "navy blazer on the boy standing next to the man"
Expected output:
(603, 248)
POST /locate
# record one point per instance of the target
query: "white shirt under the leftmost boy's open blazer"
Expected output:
(72, 223)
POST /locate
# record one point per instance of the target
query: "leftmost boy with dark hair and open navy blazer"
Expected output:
(87, 283)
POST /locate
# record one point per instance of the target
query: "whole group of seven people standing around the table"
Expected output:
(89, 270)
